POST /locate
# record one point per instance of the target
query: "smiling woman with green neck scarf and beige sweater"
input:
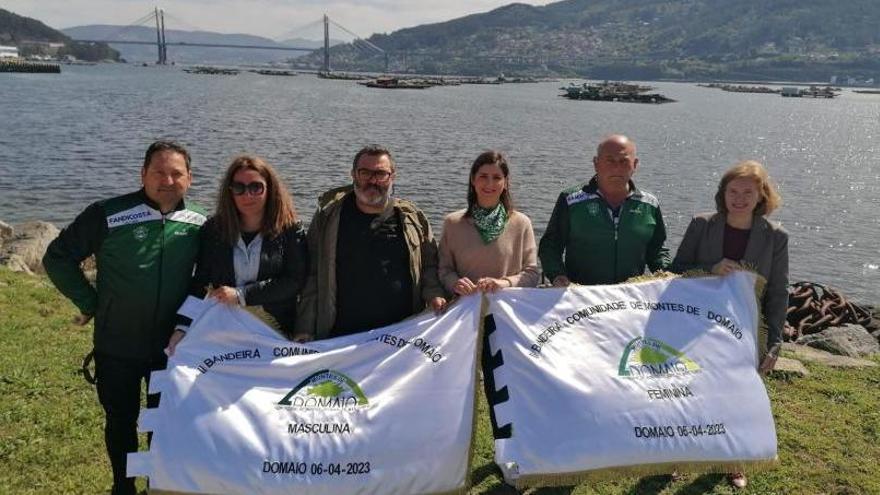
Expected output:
(488, 246)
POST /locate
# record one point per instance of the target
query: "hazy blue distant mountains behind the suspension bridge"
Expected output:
(193, 54)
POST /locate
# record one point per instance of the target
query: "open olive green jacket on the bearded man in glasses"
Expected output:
(317, 311)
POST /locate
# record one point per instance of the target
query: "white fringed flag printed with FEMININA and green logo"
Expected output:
(647, 377)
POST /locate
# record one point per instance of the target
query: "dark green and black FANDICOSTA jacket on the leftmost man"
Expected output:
(144, 261)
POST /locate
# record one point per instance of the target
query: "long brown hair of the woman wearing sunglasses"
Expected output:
(279, 213)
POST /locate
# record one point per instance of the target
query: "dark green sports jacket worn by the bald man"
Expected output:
(582, 242)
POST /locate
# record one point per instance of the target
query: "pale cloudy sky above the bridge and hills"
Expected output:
(269, 18)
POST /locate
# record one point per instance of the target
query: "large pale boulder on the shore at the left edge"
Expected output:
(24, 248)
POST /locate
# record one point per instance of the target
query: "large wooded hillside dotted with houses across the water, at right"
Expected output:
(640, 39)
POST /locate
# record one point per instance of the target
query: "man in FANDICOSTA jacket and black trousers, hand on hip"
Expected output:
(144, 244)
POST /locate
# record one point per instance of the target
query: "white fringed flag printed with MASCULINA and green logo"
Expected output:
(244, 411)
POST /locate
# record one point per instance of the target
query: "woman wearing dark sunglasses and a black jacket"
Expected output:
(253, 250)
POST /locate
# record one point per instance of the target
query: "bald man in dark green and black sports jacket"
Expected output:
(607, 230)
